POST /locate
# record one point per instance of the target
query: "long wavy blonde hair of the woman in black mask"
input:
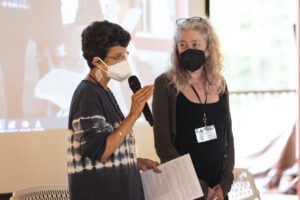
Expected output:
(213, 64)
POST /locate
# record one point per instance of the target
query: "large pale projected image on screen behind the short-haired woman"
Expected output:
(41, 60)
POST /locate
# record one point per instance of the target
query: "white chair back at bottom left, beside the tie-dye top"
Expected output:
(42, 192)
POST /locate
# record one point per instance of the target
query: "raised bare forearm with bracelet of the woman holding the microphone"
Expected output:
(115, 139)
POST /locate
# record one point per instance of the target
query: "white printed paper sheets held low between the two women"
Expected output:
(178, 181)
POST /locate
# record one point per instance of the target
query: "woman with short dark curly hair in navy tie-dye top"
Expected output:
(102, 162)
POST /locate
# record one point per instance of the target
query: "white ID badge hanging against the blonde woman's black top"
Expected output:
(205, 134)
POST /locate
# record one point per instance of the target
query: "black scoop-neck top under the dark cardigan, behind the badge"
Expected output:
(207, 157)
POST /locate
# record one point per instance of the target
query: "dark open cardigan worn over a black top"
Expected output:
(164, 127)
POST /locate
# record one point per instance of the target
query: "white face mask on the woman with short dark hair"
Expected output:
(119, 71)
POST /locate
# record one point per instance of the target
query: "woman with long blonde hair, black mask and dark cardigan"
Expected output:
(191, 108)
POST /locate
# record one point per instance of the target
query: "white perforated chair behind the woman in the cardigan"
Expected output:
(243, 187)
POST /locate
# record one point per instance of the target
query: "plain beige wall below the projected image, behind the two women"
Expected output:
(28, 159)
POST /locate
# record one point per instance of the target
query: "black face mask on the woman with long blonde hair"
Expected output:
(192, 59)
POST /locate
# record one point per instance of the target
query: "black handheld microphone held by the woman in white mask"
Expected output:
(135, 85)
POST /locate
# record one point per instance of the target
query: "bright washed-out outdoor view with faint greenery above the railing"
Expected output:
(258, 43)
